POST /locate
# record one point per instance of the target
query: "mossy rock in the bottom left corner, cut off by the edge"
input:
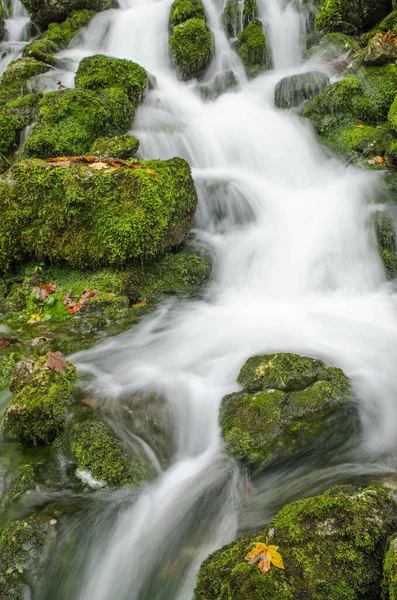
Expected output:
(25, 545)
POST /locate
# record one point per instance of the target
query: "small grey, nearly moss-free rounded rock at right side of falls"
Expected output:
(293, 90)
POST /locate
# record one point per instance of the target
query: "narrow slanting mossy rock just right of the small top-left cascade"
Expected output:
(57, 37)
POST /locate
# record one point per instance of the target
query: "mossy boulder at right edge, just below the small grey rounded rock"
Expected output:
(364, 98)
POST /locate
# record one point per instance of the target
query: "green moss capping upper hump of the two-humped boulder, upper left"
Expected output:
(101, 72)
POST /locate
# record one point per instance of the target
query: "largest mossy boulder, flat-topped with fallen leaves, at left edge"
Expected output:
(103, 216)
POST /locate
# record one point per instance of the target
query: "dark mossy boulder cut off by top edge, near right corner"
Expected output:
(351, 15)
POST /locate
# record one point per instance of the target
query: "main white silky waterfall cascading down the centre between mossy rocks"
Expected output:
(295, 269)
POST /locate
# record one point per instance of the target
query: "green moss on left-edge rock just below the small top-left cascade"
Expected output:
(14, 80)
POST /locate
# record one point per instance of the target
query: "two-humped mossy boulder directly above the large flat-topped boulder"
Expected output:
(107, 93)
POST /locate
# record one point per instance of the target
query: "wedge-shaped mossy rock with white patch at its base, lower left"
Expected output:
(97, 451)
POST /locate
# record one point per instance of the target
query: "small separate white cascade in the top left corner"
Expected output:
(16, 24)
